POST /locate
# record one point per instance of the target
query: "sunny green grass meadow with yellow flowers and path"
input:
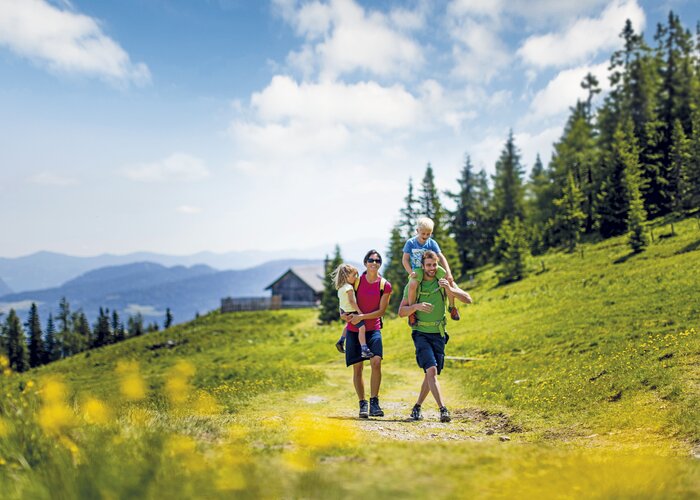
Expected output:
(582, 382)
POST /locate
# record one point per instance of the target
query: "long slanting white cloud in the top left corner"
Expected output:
(66, 42)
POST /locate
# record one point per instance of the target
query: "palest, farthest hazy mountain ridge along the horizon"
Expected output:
(44, 270)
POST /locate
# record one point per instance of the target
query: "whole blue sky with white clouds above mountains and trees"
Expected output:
(180, 126)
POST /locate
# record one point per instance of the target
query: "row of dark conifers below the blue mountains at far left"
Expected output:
(28, 346)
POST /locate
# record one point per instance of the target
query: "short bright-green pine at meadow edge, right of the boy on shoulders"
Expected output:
(512, 246)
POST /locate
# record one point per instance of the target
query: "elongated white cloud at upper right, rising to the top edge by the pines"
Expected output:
(583, 39)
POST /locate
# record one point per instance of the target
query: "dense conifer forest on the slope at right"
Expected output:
(634, 158)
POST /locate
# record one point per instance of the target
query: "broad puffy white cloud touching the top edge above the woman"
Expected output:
(343, 37)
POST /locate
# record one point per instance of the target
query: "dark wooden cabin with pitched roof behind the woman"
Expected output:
(300, 286)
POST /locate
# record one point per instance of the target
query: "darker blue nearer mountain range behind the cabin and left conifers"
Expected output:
(149, 288)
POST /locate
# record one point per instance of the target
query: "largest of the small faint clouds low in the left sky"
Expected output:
(178, 167)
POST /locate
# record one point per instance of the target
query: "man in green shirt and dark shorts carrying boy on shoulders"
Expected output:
(429, 335)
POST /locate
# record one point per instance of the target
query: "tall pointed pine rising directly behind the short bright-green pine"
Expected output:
(508, 192)
